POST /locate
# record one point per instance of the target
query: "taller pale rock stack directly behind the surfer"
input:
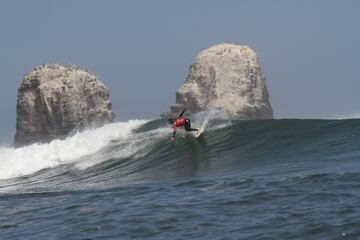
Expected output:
(226, 77)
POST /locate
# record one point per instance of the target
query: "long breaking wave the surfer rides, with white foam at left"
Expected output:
(140, 149)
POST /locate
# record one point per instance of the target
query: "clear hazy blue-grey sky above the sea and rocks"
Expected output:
(141, 50)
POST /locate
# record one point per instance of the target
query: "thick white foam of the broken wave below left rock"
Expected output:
(16, 162)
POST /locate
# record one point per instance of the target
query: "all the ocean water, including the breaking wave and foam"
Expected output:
(266, 179)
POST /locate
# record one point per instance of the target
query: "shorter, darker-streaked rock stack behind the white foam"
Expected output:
(54, 100)
